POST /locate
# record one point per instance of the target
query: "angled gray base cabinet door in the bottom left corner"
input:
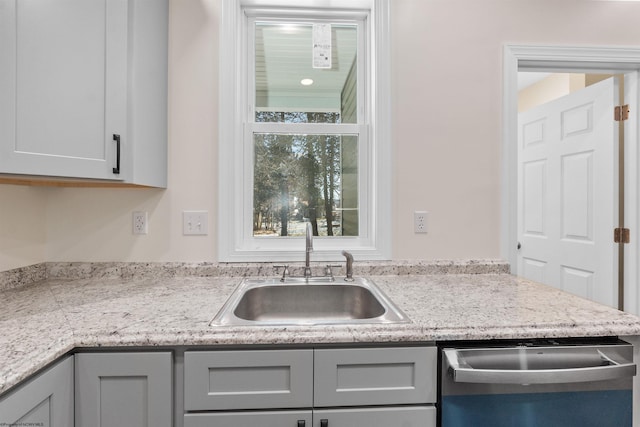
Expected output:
(46, 400)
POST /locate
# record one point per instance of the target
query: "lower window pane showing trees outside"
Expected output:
(305, 178)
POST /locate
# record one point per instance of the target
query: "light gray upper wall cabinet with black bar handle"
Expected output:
(84, 89)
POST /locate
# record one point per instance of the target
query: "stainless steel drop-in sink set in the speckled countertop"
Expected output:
(319, 301)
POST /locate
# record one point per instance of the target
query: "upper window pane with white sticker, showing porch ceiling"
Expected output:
(284, 59)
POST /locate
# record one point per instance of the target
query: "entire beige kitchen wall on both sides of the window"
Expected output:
(447, 92)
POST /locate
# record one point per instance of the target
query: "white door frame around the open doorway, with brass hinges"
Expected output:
(597, 59)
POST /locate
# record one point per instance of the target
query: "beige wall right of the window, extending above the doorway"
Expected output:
(447, 103)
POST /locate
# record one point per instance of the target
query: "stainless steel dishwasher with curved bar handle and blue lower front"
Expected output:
(551, 383)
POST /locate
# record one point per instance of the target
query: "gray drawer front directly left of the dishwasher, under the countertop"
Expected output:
(375, 376)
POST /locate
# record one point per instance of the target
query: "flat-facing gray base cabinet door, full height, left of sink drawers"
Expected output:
(124, 389)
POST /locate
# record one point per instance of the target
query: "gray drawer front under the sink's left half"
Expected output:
(228, 380)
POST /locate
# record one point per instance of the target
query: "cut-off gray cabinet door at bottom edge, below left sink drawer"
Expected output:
(250, 419)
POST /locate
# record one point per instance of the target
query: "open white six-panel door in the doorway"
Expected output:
(567, 193)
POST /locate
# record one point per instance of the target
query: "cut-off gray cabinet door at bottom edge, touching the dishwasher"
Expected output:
(420, 416)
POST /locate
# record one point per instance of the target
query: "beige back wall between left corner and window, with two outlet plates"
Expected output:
(95, 224)
